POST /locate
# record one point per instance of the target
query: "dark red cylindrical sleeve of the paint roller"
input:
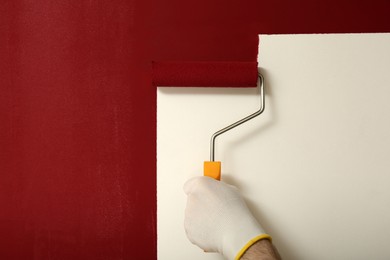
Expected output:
(202, 74)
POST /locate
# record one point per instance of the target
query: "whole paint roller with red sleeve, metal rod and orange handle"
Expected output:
(211, 74)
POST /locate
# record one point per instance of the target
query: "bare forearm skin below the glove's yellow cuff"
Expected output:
(261, 250)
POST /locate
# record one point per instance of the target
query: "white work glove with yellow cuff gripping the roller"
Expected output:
(217, 218)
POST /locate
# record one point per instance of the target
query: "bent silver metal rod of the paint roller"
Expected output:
(239, 122)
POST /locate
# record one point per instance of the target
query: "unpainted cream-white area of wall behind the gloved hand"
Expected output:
(314, 168)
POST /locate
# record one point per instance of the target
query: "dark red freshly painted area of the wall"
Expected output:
(77, 108)
